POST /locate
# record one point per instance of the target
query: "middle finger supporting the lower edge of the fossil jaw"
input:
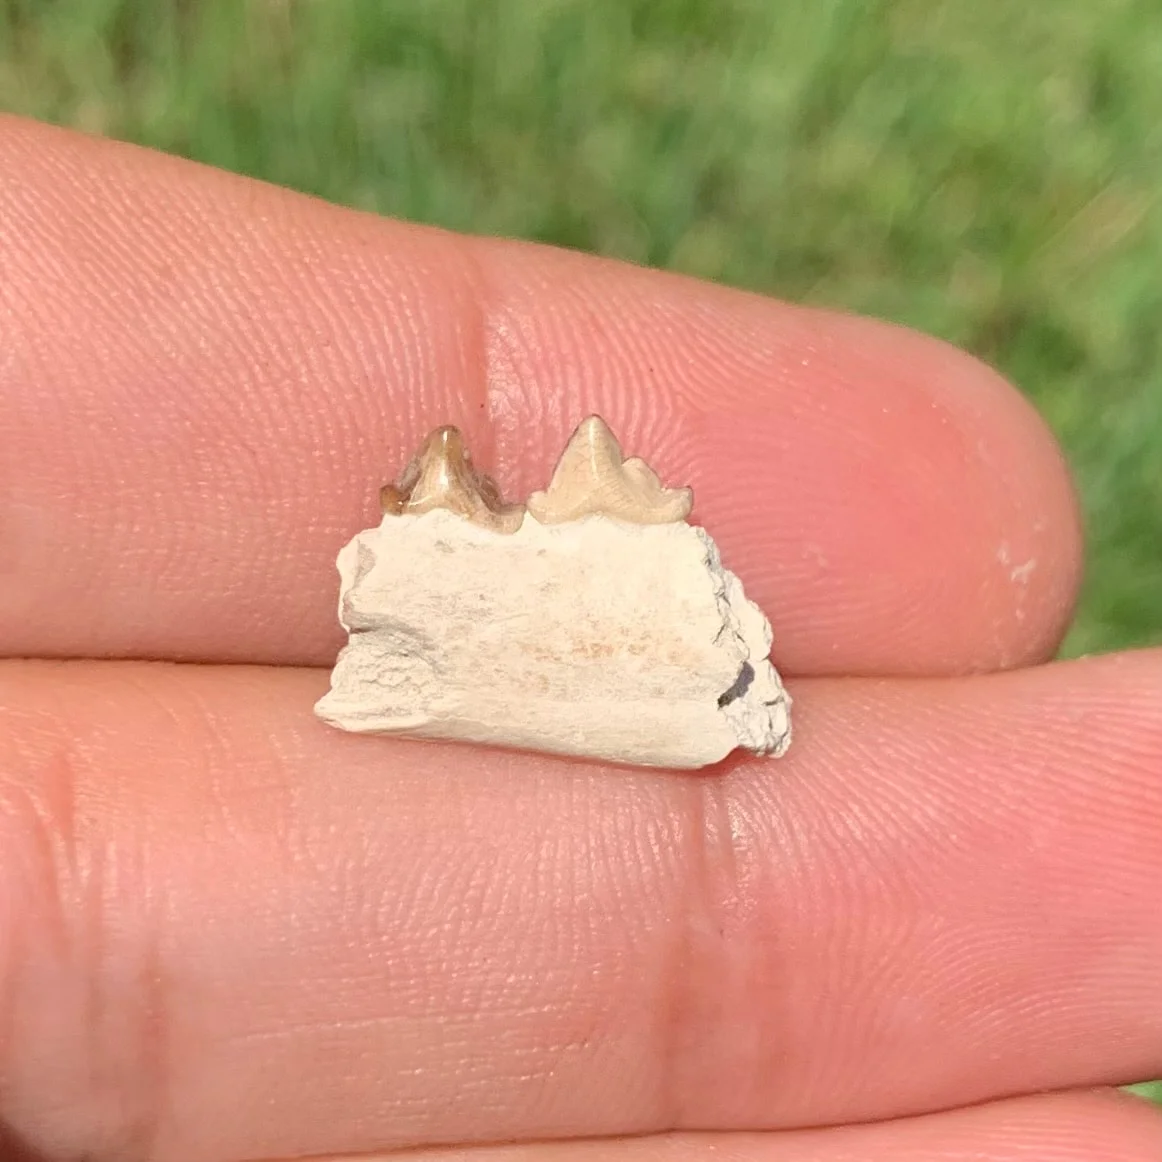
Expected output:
(239, 934)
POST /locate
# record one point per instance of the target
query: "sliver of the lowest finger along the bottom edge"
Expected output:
(1077, 1128)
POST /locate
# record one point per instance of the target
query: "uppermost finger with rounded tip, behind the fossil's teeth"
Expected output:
(206, 381)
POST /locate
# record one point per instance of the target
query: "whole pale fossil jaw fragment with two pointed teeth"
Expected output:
(590, 626)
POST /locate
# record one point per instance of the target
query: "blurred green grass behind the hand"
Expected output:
(987, 173)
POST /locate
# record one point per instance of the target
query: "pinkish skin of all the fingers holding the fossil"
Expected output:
(229, 933)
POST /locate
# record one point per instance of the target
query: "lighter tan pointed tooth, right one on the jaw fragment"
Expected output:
(592, 478)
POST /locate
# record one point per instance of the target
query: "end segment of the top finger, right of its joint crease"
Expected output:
(893, 504)
